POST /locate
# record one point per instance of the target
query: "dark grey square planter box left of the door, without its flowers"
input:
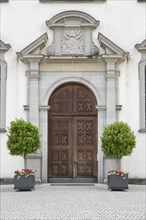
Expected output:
(23, 182)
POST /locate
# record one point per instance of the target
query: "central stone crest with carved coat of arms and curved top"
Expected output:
(72, 34)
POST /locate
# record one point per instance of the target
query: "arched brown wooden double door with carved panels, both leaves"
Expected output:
(72, 135)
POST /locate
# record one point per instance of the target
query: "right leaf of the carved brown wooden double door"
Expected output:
(85, 133)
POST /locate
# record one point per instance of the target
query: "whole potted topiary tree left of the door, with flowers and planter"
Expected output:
(23, 139)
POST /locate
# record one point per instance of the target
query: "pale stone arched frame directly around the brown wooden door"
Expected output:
(101, 111)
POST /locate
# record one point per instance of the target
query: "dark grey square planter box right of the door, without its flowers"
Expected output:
(118, 182)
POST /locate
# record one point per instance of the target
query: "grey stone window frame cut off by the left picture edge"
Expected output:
(3, 78)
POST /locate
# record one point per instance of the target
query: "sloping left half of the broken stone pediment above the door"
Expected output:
(35, 47)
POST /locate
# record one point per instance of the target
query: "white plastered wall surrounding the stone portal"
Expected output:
(121, 21)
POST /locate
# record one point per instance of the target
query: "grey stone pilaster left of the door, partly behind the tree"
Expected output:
(34, 161)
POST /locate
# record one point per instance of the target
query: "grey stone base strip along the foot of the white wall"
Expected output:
(6, 181)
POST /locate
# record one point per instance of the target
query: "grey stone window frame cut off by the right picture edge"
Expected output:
(142, 85)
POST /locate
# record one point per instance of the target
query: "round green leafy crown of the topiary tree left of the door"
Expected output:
(23, 138)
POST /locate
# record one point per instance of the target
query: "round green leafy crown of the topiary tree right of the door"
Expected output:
(118, 140)
